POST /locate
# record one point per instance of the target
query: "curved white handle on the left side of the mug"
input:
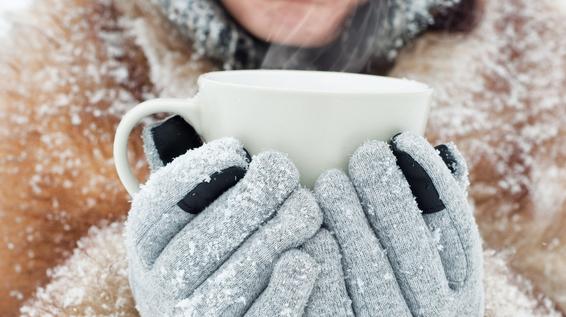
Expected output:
(187, 108)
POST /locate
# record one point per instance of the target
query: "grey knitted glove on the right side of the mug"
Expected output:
(409, 242)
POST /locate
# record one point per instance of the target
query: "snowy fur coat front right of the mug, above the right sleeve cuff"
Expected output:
(499, 95)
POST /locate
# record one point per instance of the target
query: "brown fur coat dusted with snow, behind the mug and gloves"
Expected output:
(71, 68)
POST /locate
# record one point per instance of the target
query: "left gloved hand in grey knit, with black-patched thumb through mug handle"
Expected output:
(205, 232)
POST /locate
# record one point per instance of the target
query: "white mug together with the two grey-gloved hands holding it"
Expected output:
(214, 232)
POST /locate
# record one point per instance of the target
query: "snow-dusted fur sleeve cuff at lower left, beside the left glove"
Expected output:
(92, 282)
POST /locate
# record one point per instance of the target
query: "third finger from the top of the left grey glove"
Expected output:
(233, 287)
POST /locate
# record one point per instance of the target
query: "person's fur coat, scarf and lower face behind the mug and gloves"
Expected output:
(70, 69)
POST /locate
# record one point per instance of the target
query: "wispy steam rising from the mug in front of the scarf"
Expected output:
(369, 41)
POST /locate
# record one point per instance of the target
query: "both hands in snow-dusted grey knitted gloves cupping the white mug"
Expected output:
(397, 239)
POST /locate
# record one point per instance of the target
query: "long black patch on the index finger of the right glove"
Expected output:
(423, 189)
